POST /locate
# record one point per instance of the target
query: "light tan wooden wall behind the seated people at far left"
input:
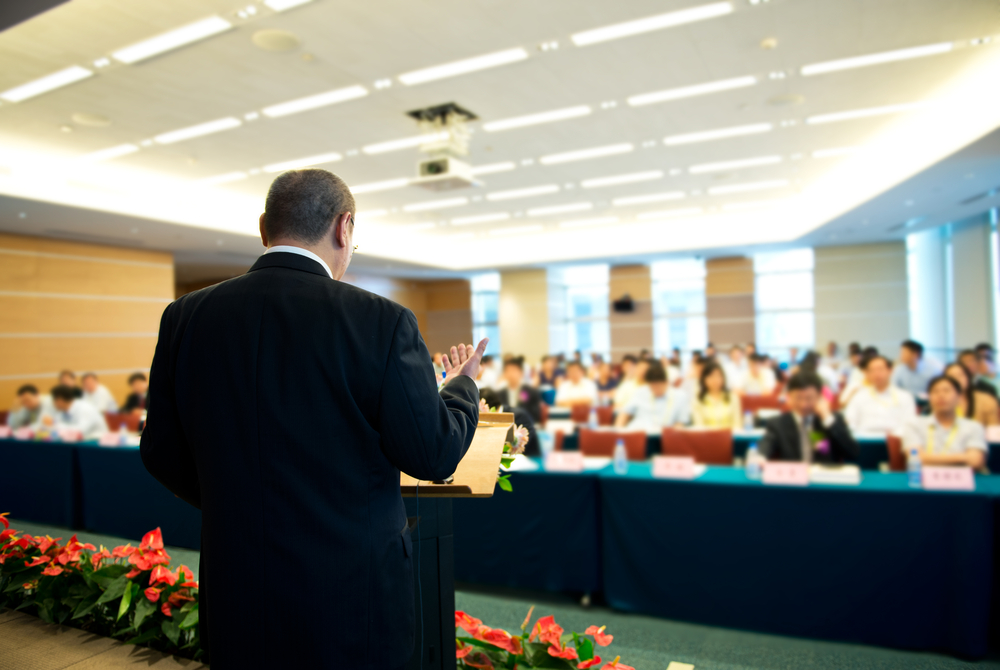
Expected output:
(82, 307)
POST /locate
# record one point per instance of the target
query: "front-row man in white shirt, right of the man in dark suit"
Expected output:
(943, 437)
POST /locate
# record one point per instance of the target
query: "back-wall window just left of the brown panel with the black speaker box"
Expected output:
(578, 310)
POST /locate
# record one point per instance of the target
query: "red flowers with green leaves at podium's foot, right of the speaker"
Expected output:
(546, 646)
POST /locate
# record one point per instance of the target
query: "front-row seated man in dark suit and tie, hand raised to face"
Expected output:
(810, 432)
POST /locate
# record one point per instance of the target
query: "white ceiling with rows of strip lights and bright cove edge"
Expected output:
(345, 44)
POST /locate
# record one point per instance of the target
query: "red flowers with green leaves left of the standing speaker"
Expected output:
(127, 592)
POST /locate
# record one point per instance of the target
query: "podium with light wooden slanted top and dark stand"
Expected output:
(428, 507)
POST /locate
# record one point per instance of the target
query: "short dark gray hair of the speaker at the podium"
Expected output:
(301, 204)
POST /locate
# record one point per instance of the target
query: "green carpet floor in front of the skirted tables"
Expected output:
(646, 643)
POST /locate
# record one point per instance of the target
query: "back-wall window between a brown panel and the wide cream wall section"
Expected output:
(784, 297)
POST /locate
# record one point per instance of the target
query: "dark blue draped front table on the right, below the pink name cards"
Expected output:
(877, 564)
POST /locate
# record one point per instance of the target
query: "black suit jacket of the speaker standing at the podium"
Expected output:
(284, 404)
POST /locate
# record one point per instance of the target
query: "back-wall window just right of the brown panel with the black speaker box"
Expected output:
(679, 305)
